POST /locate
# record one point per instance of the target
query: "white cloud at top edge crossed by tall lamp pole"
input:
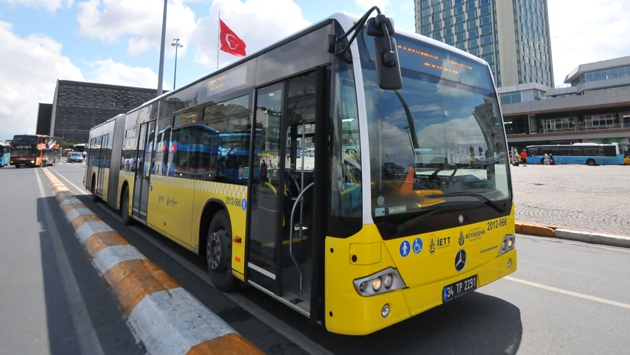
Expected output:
(138, 21)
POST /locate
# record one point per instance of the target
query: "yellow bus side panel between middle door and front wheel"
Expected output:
(170, 207)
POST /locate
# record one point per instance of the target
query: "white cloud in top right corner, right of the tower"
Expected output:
(587, 32)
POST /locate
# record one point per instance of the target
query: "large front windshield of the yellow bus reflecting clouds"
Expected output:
(439, 140)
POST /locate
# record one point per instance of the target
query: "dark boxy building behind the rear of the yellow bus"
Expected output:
(79, 106)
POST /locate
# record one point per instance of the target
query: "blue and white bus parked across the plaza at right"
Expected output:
(579, 153)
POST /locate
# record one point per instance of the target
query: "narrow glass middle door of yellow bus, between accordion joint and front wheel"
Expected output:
(143, 171)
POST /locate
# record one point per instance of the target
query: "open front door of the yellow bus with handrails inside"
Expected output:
(281, 229)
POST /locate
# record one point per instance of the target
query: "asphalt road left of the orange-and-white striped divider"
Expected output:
(52, 301)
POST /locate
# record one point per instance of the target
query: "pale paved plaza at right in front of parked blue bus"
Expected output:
(593, 200)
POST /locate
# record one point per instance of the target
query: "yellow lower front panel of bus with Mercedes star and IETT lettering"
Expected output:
(425, 262)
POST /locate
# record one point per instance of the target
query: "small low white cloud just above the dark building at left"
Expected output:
(110, 72)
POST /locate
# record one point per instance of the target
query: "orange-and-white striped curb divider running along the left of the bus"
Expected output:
(159, 312)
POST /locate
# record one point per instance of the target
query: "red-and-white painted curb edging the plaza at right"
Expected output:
(569, 234)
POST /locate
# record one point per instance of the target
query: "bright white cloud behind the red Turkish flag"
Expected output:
(257, 22)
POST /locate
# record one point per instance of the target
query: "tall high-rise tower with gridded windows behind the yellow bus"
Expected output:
(511, 35)
